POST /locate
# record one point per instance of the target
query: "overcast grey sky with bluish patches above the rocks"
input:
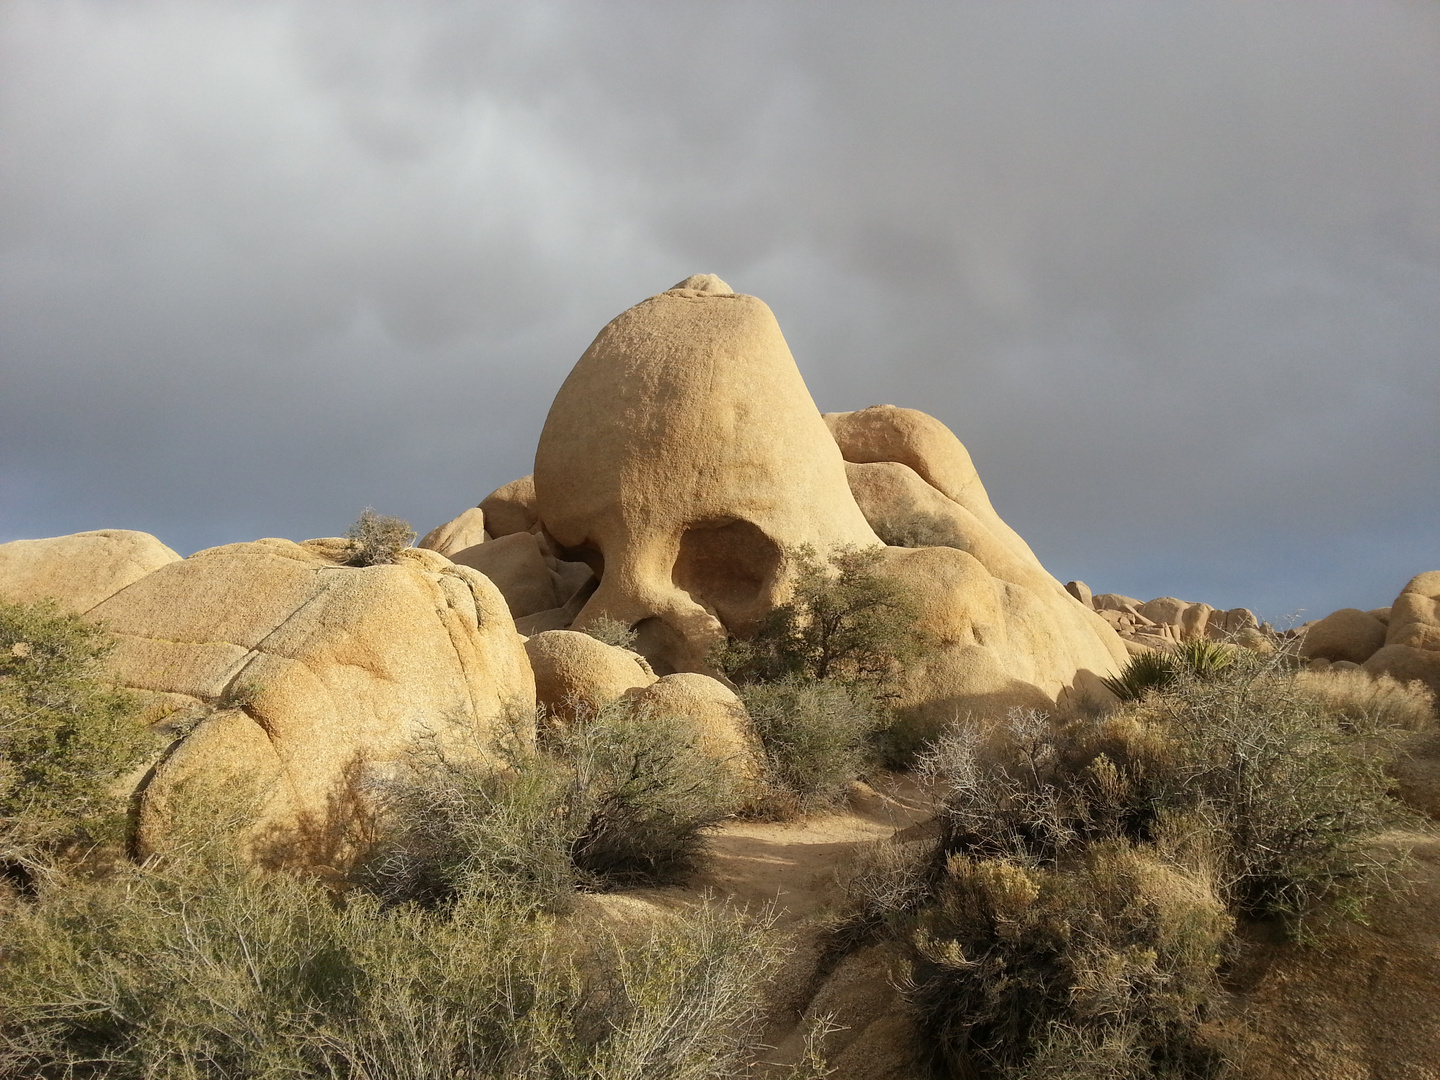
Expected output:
(1170, 270)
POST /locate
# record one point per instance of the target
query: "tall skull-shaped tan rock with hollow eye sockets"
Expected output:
(683, 459)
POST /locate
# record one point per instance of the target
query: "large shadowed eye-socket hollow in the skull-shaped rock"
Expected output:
(728, 567)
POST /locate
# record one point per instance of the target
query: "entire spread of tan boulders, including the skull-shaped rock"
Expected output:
(682, 479)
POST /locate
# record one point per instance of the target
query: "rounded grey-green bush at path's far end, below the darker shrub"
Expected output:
(817, 737)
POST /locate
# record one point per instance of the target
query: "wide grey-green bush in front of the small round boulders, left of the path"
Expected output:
(624, 798)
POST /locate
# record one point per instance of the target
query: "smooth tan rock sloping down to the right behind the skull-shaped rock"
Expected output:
(1007, 633)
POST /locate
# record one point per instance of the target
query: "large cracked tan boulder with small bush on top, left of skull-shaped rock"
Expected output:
(313, 678)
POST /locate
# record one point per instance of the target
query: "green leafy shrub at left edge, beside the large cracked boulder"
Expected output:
(66, 735)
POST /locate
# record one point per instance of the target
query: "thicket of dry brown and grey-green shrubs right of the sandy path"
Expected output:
(1071, 915)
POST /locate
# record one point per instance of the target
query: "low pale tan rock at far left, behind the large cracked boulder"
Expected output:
(80, 571)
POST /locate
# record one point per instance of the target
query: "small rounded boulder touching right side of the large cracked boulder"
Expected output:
(578, 675)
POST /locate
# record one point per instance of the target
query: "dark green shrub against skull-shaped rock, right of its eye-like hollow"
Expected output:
(846, 621)
